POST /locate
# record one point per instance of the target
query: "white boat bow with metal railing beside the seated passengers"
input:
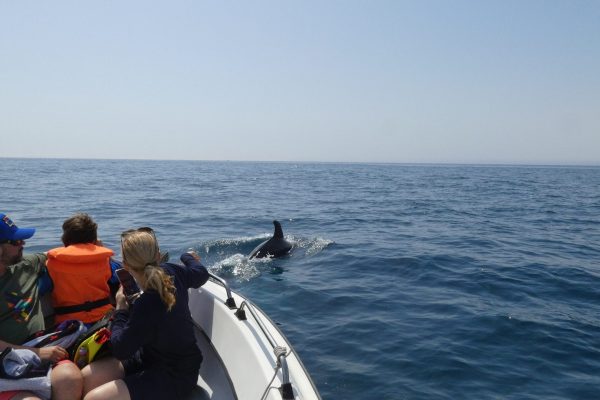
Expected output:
(246, 357)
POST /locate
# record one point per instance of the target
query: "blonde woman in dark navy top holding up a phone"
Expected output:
(152, 341)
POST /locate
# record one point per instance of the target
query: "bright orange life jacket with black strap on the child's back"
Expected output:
(80, 274)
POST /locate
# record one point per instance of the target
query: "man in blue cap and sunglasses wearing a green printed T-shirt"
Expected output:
(21, 312)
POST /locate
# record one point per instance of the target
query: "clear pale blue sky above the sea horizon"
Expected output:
(354, 81)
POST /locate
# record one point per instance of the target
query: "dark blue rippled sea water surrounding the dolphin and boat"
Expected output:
(406, 282)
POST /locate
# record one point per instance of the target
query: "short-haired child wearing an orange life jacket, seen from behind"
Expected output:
(80, 272)
